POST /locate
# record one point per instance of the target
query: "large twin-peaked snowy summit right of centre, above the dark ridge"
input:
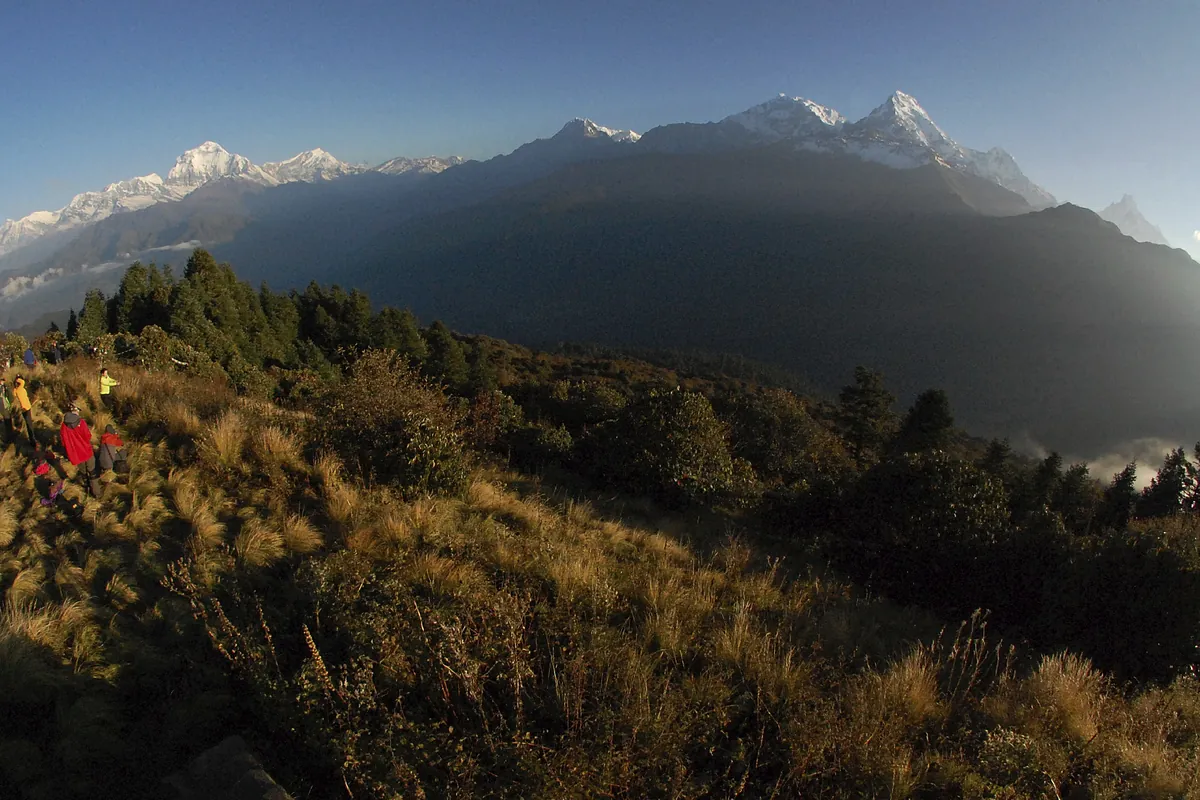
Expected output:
(899, 134)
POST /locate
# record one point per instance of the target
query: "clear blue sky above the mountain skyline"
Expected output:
(1094, 99)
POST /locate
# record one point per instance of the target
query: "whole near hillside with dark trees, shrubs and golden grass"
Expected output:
(409, 563)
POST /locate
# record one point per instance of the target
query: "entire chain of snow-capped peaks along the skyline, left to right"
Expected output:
(899, 134)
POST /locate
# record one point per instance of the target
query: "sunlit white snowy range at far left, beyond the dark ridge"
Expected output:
(195, 169)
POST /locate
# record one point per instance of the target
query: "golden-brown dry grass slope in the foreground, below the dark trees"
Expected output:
(506, 643)
